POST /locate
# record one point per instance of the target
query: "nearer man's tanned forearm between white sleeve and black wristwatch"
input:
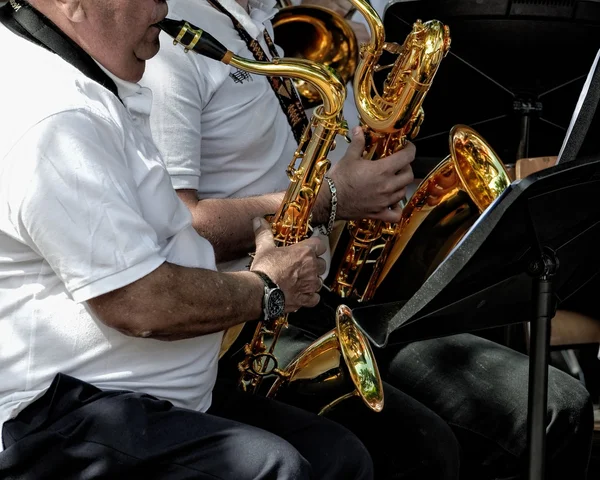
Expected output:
(175, 302)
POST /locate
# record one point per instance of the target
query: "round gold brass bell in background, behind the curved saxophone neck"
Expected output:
(319, 35)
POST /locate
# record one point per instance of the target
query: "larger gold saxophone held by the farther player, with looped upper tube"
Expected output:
(381, 259)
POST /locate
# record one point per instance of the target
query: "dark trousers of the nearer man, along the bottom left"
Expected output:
(78, 432)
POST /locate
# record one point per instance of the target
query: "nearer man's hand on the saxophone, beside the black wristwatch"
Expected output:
(296, 268)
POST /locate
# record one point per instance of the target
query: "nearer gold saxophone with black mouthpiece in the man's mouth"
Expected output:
(344, 352)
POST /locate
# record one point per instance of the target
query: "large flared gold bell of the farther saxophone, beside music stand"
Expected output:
(442, 209)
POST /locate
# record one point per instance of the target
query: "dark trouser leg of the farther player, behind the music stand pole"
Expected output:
(480, 389)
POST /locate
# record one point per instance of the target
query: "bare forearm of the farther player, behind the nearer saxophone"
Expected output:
(227, 223)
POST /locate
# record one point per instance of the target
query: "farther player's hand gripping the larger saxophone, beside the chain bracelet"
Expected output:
(371, 189)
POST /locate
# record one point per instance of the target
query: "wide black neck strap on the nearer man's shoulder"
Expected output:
(25, 21)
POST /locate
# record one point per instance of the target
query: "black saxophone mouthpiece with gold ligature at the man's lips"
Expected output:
(194, 38)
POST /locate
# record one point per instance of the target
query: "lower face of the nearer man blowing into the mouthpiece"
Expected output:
(119, 33)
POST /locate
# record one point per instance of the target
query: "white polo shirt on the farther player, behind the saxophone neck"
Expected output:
(221, 131)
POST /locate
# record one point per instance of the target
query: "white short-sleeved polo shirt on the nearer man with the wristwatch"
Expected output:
(86, 207)
